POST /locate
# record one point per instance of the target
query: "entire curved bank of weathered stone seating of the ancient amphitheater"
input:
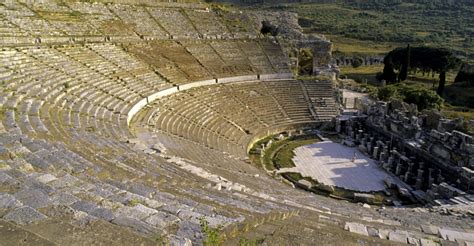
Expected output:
(130, 122)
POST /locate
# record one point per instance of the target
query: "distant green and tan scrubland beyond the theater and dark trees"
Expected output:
(375, 28)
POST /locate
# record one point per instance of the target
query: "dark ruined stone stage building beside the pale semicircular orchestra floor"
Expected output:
(423, 149)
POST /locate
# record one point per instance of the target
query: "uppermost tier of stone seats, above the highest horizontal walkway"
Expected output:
(86, 19)
